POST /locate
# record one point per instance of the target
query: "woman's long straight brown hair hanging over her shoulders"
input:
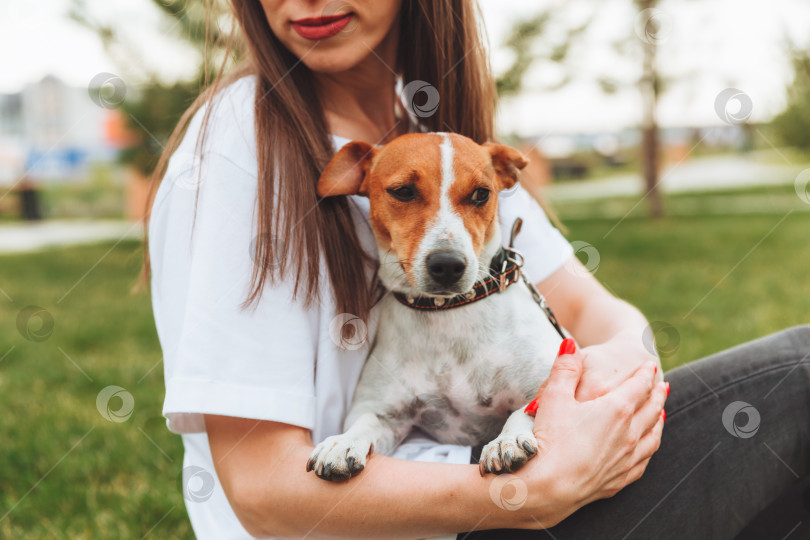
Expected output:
(440, 43)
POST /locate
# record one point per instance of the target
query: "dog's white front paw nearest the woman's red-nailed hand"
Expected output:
(512, 448)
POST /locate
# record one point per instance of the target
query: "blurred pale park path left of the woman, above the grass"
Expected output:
(27, 237)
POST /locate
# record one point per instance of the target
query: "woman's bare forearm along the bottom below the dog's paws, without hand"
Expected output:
(262, 469)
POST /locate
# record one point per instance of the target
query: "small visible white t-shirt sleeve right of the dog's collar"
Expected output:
(544, 248)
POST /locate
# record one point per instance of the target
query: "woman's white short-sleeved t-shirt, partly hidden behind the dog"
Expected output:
(261, 363)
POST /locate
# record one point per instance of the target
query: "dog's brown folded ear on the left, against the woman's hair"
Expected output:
(346, 173)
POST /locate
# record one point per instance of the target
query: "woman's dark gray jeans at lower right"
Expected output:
(736, 438)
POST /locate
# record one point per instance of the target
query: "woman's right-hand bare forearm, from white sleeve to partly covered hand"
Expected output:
(610, 330)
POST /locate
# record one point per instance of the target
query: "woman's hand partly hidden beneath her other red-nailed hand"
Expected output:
(609, 364)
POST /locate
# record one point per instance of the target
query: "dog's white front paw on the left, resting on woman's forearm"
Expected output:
(339, 457)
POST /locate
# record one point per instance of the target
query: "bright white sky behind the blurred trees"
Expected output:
(705, 47)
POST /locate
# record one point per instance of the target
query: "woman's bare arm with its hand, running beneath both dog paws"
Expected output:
(589, 450)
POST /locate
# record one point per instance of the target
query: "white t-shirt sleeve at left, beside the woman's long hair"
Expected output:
(218, 357)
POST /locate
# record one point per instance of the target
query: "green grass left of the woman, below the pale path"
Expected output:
(88, 477)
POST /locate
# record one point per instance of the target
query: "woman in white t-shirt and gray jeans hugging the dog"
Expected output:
(251, 275)
